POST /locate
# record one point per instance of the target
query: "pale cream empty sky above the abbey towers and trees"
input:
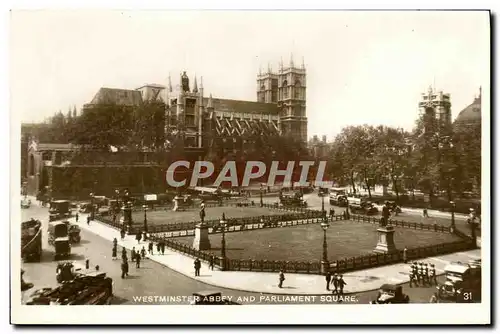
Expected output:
(362, 67)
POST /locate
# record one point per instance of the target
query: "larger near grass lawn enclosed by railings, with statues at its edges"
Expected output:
(305, 242)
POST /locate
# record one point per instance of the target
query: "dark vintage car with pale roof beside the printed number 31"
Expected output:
(463, 282)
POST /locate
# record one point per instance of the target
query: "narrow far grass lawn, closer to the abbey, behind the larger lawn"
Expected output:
(171, 217)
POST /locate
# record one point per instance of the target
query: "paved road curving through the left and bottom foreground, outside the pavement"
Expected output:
(152, 279)
